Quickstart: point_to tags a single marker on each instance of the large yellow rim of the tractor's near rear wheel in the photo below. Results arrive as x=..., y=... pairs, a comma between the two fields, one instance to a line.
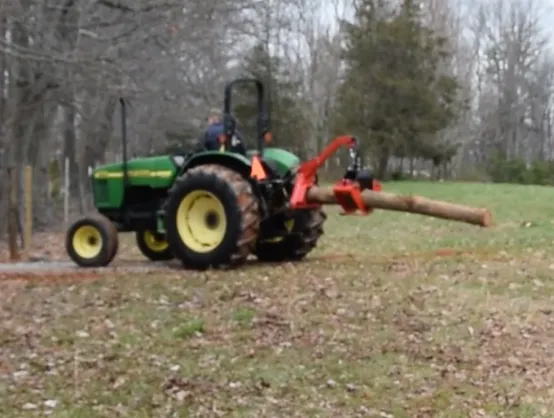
x=201, y=221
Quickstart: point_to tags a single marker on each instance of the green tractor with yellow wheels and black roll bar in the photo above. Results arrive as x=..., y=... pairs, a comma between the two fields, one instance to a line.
x=206, y=209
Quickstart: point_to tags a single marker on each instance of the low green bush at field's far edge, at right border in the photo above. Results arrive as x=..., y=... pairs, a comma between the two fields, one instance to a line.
x=517, y=171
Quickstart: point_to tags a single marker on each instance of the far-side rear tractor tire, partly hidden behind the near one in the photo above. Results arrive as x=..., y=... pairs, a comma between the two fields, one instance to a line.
x=303, y=232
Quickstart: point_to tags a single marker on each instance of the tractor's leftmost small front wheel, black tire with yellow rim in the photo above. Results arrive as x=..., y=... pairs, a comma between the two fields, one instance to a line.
x=92, y=241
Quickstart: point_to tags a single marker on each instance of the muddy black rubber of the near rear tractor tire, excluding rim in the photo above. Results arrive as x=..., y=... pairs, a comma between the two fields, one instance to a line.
x=241, y=212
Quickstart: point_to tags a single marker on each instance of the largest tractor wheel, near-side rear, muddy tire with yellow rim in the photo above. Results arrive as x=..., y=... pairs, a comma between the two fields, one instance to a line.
x=211, y=218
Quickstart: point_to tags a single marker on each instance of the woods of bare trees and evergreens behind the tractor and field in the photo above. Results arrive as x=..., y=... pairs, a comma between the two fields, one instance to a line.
x=432, y=88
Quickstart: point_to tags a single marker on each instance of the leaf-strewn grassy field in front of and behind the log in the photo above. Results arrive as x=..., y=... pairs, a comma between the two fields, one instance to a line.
x=379, y=323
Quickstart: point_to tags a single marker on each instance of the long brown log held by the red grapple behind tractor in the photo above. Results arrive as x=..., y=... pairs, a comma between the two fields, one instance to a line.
x=412, y=204
